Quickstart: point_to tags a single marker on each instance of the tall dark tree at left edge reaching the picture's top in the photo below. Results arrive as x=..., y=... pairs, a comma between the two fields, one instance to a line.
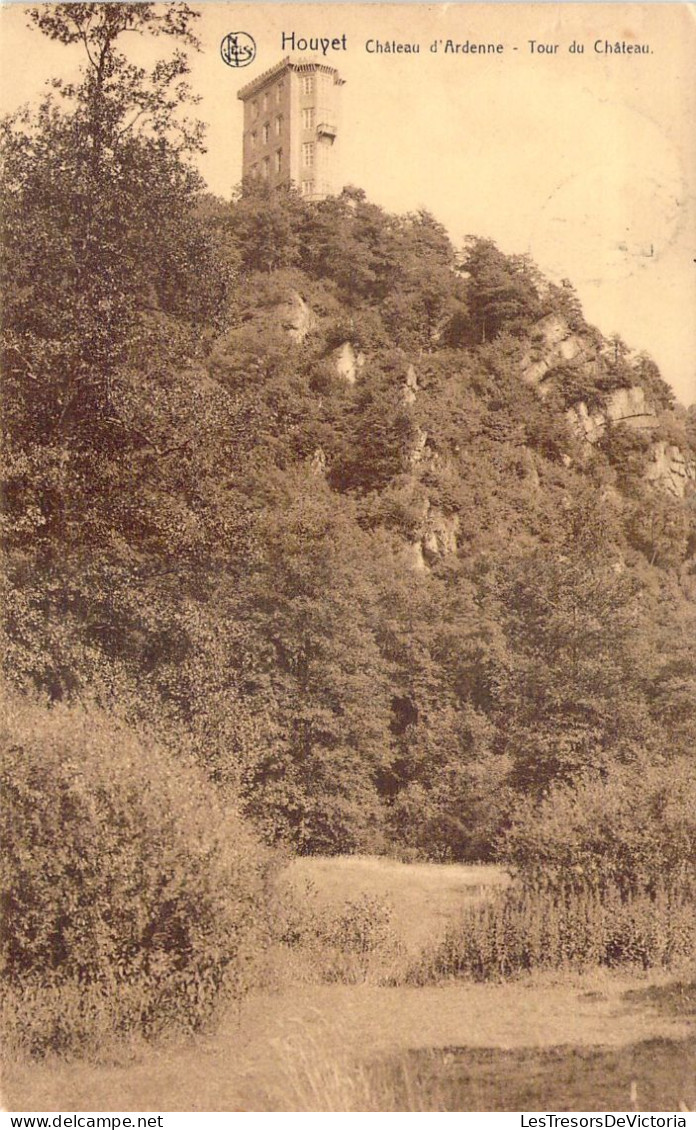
x=112, y=275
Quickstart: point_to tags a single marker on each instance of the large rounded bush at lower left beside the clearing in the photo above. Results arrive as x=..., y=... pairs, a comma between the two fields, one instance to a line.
x=134, y=899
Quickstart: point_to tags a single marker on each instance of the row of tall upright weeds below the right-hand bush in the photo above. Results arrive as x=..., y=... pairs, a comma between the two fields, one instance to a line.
x=528, y=931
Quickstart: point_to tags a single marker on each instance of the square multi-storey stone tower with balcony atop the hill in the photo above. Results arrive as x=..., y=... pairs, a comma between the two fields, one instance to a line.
x=292, y=127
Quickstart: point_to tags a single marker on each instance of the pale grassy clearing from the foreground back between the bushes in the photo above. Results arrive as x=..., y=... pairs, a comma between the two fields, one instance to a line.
x=576, y=1041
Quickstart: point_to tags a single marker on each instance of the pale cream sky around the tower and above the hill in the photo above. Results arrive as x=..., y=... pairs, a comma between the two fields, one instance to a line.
x=587, y=162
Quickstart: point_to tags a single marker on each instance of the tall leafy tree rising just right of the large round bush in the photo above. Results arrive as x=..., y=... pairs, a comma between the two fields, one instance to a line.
x=308, y=656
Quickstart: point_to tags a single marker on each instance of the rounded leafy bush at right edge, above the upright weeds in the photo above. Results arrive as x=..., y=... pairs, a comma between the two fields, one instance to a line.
x=634, y=829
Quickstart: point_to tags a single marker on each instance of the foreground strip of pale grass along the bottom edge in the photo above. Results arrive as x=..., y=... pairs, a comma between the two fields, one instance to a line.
x=335, y=1048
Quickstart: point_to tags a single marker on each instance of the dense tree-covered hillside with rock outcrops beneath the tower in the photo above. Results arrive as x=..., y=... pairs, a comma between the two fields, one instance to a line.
x=336, y=544
